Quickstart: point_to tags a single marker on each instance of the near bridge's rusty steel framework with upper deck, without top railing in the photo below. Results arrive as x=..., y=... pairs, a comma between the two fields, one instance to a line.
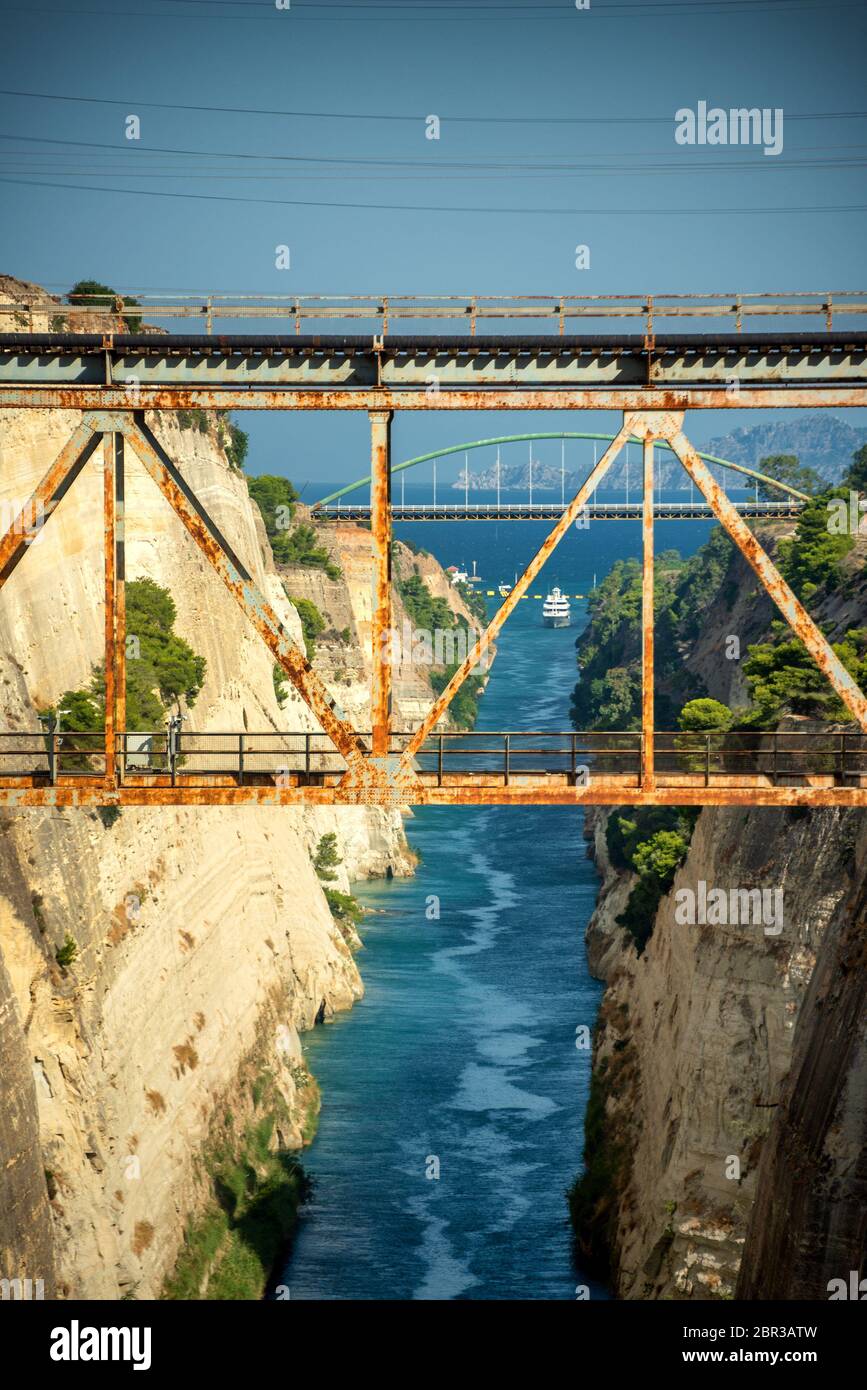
x=113, y=379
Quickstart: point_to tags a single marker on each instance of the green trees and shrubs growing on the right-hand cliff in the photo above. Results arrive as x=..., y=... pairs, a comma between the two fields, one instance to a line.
x=782, y=679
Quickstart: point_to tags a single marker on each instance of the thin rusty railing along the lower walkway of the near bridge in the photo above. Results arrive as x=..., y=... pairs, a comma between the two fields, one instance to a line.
x=743, y=758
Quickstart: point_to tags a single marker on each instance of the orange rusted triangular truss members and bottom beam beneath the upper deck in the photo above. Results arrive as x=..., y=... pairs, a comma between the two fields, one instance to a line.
x=376, y=776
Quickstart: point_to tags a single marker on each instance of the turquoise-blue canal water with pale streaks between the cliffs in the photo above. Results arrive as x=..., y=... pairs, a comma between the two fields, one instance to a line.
x=462, y=1057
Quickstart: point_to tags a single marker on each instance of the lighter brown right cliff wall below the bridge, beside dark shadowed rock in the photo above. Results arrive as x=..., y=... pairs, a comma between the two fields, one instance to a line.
x=697, y=1039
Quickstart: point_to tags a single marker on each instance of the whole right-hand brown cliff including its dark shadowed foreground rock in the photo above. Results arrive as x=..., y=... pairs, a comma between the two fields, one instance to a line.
x=727, y=1122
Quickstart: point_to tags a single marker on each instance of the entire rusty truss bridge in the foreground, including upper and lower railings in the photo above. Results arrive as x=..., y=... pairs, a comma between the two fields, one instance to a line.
x=113, y=377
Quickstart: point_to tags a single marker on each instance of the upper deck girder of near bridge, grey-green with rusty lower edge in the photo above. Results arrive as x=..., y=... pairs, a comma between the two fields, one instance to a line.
x=422, y=372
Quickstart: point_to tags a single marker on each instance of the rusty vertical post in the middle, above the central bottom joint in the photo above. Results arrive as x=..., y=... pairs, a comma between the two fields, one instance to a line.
x=381, y=539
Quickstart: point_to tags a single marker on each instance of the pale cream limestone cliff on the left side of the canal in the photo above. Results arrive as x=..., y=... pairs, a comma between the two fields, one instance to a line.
x=204, y=938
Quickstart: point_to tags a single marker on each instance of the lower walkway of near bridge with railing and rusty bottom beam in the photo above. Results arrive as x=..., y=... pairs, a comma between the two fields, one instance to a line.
x=782, y=768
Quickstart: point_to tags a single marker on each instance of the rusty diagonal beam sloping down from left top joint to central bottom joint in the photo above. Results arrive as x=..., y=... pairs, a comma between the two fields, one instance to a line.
x=241, y=584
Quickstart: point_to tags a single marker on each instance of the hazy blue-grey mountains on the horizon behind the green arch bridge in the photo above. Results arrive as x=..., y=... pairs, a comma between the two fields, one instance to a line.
x=823, y=441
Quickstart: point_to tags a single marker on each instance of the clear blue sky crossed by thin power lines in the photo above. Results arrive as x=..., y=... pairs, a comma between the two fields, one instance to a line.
x=655, y=215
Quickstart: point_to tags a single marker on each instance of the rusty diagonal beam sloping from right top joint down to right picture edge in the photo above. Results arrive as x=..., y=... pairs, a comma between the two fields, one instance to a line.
x=793, y=611
